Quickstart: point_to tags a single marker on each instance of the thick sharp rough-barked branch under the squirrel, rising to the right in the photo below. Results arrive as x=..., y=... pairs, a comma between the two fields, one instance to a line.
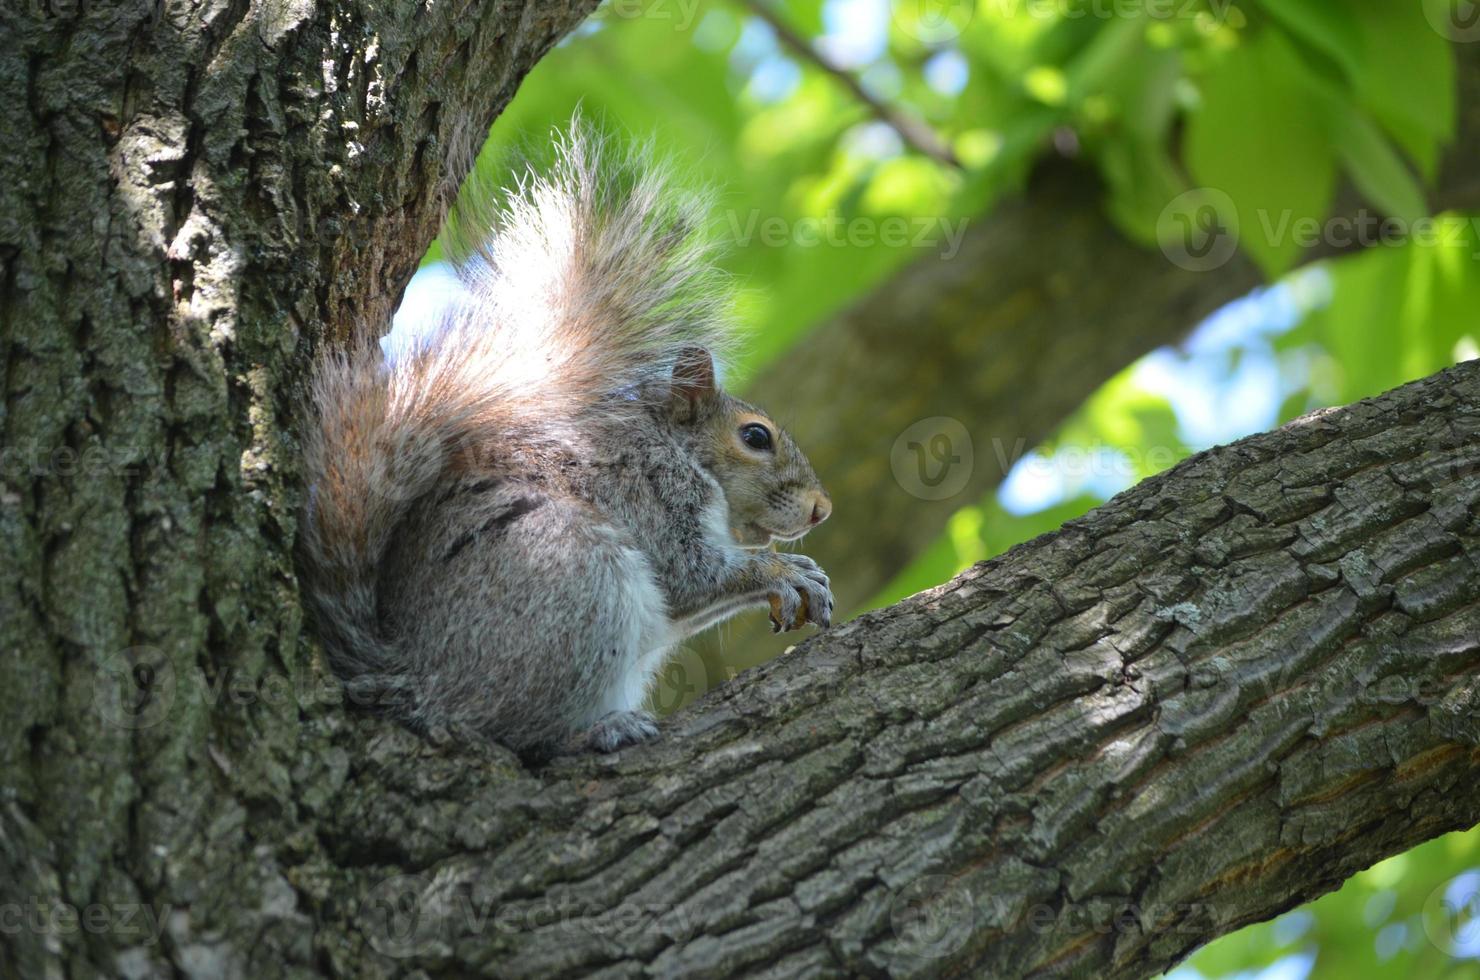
x=1202, y=704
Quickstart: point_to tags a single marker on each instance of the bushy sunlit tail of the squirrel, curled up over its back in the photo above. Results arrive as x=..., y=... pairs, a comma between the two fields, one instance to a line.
x=581, y=285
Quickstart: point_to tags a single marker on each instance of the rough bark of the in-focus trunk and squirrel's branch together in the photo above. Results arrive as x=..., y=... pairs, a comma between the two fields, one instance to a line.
x=1211, y=699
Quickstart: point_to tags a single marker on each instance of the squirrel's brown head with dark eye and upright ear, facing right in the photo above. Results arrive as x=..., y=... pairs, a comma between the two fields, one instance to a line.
x=772, y=489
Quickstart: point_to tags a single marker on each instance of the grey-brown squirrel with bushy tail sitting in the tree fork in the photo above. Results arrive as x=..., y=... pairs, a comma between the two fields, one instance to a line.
x=519, y=516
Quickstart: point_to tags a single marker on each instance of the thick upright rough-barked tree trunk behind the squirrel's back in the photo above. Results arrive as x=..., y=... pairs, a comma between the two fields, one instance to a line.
x=192, y=196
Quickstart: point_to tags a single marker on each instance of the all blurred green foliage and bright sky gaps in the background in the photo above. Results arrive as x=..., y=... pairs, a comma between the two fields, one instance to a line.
x=1257, y=109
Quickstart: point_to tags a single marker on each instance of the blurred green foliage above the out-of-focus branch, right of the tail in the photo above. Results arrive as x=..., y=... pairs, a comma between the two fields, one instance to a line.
x=1268, y=101
